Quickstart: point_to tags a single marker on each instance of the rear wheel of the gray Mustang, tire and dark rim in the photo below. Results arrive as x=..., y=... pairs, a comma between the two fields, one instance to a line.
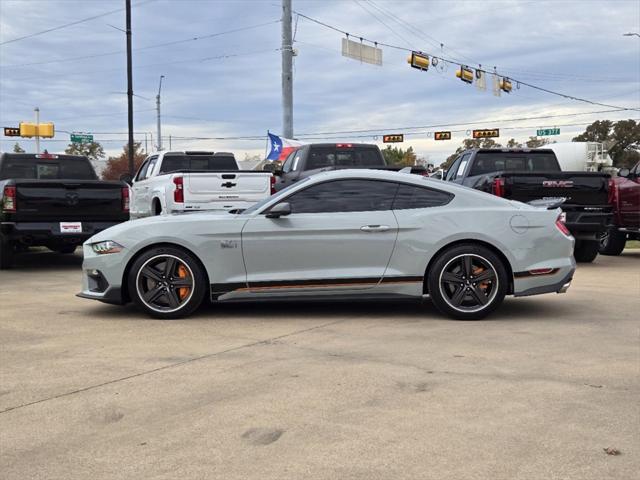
x=466, y=300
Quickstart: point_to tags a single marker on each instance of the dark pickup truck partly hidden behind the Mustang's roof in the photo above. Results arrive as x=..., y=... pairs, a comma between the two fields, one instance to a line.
x=313, y=158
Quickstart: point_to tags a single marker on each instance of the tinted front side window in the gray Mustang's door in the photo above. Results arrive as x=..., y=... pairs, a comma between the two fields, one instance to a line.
x=344, y=196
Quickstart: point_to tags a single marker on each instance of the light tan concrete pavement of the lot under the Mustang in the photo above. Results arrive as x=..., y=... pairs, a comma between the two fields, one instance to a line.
x=319, y=391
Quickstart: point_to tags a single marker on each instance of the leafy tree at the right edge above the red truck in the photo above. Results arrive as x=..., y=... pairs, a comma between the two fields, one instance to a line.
x=622, y=139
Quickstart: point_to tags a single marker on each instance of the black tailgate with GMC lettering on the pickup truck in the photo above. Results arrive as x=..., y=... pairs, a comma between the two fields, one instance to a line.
x=583, y=188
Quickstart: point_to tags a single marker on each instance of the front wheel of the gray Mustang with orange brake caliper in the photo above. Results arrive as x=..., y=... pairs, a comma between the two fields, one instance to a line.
x=167, y=282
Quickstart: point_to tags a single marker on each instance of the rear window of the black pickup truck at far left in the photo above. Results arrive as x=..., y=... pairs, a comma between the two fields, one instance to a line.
x=47, y=169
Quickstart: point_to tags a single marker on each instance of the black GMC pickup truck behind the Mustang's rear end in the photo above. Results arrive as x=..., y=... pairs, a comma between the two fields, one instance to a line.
x=526, y=175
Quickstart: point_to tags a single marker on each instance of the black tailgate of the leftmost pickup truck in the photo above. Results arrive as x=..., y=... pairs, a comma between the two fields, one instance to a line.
x=69, y=200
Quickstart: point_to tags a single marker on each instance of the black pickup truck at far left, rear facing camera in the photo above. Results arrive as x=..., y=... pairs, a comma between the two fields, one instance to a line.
x=54, y=201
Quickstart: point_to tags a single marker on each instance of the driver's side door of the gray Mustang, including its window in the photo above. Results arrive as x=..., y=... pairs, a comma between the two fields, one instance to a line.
x=340, y=235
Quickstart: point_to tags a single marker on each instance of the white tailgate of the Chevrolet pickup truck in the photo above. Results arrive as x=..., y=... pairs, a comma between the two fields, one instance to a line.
x=244, y=186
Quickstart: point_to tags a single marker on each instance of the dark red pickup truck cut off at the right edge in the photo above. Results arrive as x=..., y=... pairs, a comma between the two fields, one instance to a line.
x=624, y=195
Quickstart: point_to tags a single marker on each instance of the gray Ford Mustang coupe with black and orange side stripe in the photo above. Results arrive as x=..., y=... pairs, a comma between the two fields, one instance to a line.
x=345, y=234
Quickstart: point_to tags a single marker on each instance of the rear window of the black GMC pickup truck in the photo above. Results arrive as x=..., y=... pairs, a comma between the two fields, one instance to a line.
x=488, y=162
